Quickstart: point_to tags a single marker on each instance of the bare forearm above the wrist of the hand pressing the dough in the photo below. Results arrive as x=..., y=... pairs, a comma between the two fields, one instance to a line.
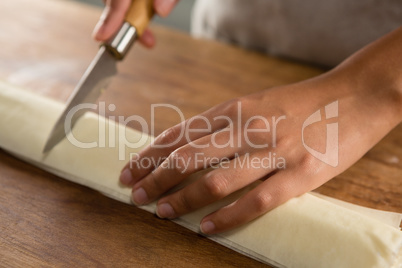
x=375, y=74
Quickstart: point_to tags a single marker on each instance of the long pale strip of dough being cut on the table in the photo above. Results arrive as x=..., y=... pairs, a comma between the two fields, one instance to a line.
x=304, y=232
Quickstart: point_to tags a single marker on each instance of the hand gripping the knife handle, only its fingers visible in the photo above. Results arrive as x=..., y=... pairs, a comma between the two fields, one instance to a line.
x=113, y=16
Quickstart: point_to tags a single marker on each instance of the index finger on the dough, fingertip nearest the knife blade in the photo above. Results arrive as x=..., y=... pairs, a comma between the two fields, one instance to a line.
x=170, y=140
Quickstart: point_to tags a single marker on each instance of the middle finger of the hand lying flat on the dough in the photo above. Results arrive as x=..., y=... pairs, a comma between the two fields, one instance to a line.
x=181, y=163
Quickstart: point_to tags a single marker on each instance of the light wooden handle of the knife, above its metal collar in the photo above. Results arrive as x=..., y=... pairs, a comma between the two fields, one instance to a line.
x=139, y=14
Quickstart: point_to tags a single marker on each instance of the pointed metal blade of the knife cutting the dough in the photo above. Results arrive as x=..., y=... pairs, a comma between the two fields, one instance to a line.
x=95, y=79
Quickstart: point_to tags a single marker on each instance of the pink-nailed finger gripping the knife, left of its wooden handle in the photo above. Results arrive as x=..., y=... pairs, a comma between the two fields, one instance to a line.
x=111, y=19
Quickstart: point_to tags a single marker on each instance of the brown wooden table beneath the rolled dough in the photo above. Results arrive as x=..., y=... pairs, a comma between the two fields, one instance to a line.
x=47, y=221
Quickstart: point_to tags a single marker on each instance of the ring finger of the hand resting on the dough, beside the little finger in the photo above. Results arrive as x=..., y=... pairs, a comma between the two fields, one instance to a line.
x=215, y=185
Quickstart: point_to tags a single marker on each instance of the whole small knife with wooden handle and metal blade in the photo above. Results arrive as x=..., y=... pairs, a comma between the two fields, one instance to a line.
x=102, y=68
